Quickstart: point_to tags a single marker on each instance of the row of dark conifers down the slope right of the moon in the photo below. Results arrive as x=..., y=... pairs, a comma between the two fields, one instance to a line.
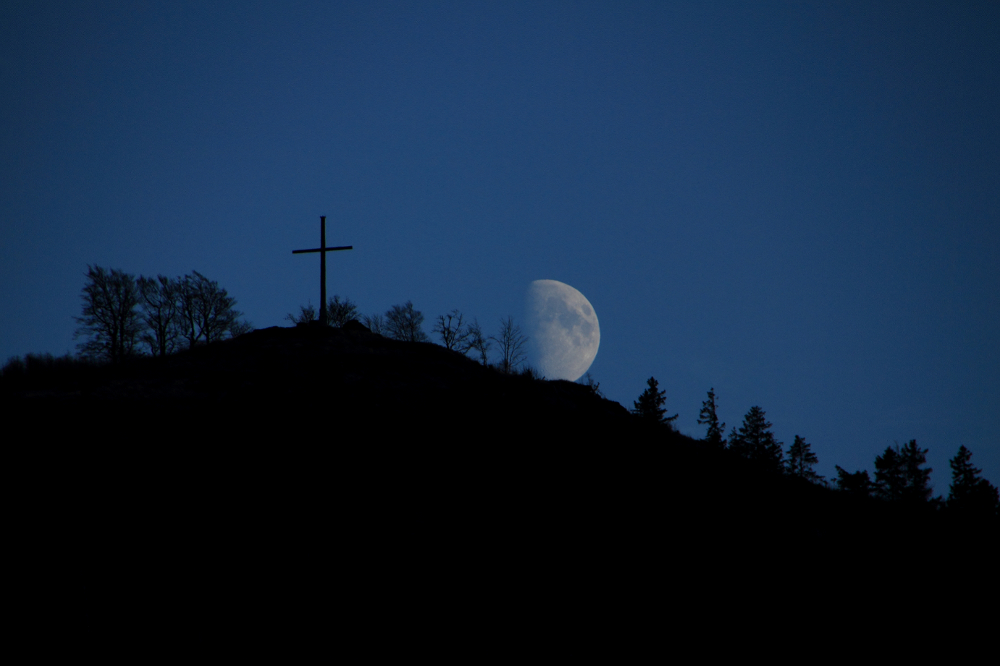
x=901, y=474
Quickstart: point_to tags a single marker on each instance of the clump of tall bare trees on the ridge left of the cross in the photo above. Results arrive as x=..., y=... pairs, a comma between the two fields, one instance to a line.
x=125, y=316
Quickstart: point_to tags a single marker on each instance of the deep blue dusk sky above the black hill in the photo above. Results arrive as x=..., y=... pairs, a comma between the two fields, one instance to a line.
x=794, y=204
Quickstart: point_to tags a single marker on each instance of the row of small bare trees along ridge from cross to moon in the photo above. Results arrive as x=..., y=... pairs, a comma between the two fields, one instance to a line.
x=404, y=322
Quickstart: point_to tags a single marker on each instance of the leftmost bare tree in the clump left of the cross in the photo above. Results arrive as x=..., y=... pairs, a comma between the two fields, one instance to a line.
x=111, y=322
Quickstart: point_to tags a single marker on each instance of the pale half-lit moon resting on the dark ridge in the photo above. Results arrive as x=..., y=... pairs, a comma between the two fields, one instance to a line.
x=563, y=333
